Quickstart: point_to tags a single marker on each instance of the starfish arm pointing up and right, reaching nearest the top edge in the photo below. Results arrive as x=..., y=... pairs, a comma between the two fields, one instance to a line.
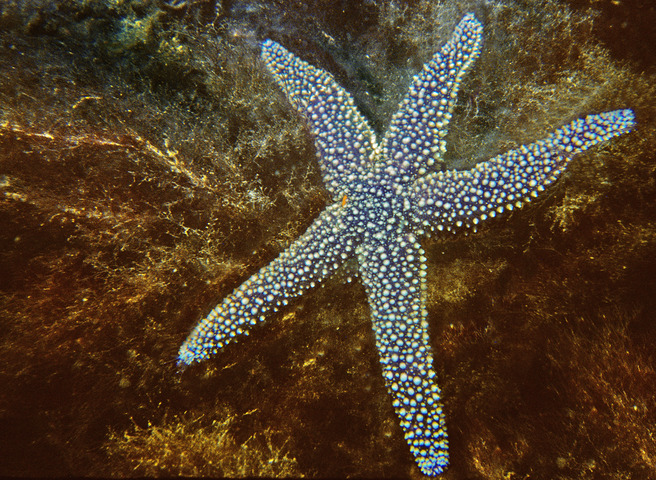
x=416, y=134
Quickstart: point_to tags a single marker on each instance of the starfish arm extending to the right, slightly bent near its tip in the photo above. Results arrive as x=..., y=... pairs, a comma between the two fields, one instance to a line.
x=455, y=199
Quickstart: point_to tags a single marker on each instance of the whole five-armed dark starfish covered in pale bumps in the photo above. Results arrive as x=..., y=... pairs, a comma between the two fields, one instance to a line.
x=384, y=198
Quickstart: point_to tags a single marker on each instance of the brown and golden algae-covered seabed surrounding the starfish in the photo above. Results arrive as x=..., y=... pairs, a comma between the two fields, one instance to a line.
x=148, y=165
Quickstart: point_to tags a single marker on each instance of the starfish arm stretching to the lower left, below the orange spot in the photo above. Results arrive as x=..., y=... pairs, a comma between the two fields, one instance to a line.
x=310, y=259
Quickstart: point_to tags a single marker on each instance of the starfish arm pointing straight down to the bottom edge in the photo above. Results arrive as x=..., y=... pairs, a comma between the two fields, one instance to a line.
x=393, y=273
